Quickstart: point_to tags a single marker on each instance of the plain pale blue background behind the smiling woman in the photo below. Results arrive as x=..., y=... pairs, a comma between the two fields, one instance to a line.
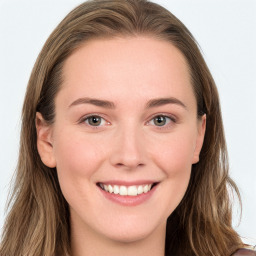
x=226, y=33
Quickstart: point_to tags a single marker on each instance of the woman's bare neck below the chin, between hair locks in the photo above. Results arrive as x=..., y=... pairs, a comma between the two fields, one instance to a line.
x=84, y=242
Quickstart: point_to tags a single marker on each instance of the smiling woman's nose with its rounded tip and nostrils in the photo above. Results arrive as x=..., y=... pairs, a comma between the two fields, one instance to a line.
x=128, y=149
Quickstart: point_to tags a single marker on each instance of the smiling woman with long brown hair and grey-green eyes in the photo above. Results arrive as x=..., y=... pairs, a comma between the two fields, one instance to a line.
x=122, y=144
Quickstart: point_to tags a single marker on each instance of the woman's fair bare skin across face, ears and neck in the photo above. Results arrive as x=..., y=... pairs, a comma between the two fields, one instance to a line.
x=126, y=146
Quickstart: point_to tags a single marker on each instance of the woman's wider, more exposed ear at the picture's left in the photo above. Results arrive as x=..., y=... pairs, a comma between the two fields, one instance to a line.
x=44, y=141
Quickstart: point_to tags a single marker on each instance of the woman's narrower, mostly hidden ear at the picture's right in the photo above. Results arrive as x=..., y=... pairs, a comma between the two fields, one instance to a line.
x=200, y=139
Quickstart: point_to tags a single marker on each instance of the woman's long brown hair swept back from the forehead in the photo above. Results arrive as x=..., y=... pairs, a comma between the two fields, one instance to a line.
x=38, y=221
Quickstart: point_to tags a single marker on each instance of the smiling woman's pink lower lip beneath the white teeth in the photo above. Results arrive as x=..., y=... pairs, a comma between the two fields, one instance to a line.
x=128, y=200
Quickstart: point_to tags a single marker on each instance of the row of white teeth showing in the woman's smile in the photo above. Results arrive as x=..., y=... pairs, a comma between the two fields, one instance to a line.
x=124, y=191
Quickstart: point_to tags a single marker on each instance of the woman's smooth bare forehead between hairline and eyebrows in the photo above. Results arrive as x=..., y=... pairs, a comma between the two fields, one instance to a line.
x=126, y=66
